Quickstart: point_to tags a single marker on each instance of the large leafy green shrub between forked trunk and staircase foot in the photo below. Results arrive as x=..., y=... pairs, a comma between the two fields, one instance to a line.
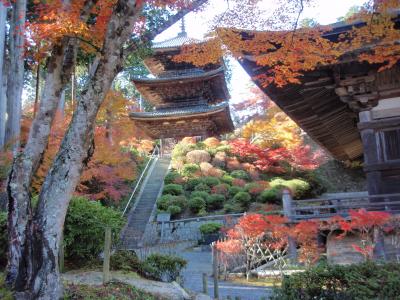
x=84, y=228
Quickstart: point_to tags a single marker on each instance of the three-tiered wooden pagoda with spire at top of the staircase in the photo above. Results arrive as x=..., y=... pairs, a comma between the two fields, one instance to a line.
x=188, y=101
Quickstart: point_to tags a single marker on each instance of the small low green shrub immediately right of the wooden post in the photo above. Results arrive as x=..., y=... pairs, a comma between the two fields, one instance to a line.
x=125, y=260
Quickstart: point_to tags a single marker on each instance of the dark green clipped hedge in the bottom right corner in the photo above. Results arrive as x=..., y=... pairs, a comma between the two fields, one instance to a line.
x=367, y=280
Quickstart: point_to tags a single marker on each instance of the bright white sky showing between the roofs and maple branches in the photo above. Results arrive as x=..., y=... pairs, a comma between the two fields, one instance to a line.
x=198, y=24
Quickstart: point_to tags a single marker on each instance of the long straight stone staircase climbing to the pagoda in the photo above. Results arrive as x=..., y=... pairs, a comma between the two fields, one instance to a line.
x=140, y=214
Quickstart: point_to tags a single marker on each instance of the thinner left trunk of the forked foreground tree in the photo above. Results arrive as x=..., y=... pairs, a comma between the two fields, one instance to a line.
x=25, y=165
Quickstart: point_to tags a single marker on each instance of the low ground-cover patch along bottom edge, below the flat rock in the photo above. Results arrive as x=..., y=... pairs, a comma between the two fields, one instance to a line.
x=110, y=291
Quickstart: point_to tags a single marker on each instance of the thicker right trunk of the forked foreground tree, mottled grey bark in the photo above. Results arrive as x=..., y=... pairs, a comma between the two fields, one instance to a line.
x=39, y=262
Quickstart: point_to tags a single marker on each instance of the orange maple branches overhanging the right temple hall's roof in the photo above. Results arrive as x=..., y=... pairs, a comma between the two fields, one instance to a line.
x=289, y=51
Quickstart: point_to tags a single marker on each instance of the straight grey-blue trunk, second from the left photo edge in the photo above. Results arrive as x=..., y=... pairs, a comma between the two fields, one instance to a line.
x=15, y=80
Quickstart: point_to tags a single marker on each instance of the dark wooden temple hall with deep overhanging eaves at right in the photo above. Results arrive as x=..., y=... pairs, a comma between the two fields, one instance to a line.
x=350, y=109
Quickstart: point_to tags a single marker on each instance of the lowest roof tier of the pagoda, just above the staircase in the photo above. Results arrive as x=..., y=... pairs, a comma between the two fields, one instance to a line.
x=202, y=120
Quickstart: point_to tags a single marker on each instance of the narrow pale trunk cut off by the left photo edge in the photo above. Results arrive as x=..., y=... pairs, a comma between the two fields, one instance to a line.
x=3, y=100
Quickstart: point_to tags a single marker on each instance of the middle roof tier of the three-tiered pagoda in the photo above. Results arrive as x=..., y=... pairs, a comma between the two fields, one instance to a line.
x=210, y=86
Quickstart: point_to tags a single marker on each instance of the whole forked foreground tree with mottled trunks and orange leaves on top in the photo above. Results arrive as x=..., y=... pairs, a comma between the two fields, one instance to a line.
x=34, y=234
